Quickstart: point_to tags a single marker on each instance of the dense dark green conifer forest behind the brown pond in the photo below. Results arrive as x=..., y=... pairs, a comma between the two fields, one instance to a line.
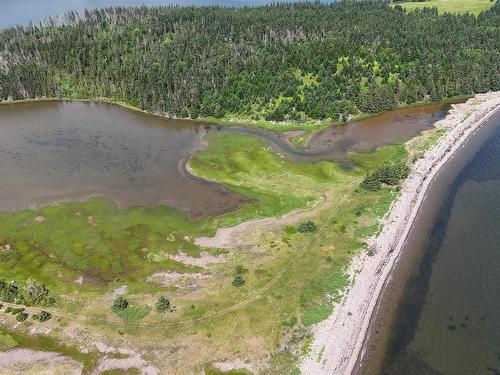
x=279, y=62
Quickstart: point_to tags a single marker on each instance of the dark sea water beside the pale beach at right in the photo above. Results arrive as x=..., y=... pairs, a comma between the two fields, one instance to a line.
x=449, y=320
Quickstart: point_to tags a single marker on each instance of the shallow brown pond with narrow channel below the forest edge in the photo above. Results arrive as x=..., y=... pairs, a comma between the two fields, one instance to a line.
x=61, y=151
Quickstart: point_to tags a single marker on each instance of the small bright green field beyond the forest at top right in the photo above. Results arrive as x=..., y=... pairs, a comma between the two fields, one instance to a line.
x=451, y=6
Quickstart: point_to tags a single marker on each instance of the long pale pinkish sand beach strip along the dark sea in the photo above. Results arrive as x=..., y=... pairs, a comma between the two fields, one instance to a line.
x=338, y=341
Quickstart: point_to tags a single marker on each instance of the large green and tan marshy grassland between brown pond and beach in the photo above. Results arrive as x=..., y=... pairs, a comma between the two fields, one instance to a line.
x=109, y=247
